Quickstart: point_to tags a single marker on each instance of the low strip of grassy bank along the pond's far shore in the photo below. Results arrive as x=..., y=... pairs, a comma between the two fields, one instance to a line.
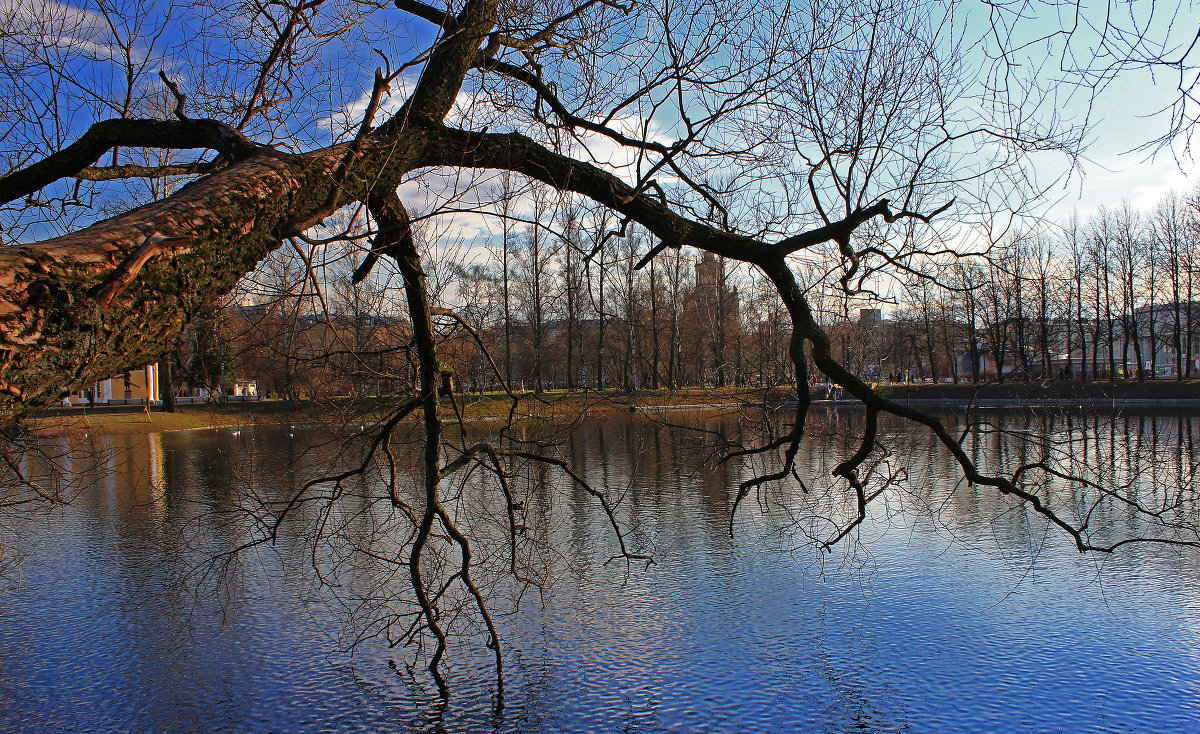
x=556, y=406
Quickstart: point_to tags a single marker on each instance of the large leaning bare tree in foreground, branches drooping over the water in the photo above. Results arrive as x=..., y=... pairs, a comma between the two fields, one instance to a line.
x=854, y=140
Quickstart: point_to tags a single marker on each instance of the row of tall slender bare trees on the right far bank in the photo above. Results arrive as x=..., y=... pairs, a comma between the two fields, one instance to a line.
x=1112, y=297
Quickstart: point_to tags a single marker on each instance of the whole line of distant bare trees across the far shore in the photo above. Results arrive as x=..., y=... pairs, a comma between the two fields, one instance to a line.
x=556, y=300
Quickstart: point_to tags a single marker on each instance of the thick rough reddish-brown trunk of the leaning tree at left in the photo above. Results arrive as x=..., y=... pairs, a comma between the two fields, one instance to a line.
x=94, y=303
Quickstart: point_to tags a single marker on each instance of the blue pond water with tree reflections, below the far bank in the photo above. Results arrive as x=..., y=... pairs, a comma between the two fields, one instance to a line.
x=952, y=611
